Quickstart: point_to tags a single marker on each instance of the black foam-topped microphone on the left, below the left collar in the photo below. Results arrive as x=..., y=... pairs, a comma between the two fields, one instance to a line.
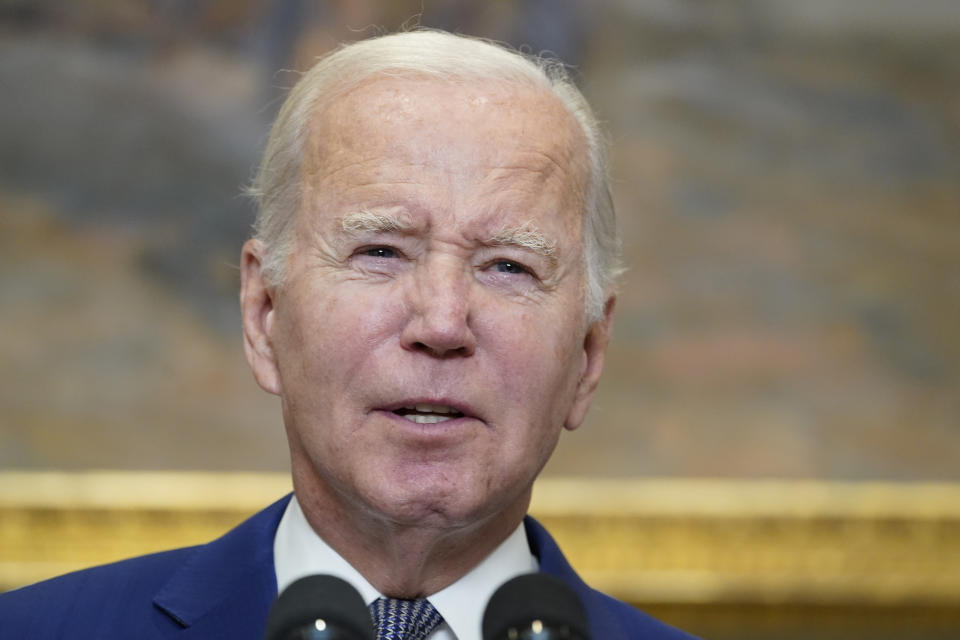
x=319, y=607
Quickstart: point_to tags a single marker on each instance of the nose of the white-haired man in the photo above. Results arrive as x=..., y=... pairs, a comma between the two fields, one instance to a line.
x=440, y=311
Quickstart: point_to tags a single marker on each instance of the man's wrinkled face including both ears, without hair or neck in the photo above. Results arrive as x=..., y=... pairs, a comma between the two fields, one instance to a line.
x=430, y=339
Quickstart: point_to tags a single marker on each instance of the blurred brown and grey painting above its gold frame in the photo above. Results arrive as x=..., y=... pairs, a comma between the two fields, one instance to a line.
x=787, y=179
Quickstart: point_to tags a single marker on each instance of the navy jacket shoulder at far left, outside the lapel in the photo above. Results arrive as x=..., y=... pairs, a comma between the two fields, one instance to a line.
x=92, y=603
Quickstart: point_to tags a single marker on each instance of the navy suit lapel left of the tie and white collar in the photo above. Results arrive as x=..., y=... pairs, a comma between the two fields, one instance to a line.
x=225, y=588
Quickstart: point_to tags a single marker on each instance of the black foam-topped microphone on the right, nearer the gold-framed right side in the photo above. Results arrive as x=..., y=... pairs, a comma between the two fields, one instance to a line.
x=535, y=606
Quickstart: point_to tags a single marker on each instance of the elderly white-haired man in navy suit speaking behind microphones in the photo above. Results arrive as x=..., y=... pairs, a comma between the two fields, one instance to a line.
x=429, y=292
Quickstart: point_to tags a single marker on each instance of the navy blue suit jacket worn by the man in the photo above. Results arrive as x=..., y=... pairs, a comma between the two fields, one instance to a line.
x=224, y=589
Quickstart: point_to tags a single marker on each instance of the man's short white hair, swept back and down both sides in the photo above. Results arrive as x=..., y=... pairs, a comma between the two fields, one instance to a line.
x=277, y=186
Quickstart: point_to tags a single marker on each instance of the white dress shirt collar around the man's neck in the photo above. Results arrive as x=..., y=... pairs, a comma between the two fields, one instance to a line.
x=298, y=552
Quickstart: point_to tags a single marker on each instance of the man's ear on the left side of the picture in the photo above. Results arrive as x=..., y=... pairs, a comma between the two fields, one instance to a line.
x=256, y=307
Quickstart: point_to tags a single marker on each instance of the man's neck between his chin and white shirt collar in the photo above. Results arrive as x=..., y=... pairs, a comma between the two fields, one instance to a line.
x=402, y=560
